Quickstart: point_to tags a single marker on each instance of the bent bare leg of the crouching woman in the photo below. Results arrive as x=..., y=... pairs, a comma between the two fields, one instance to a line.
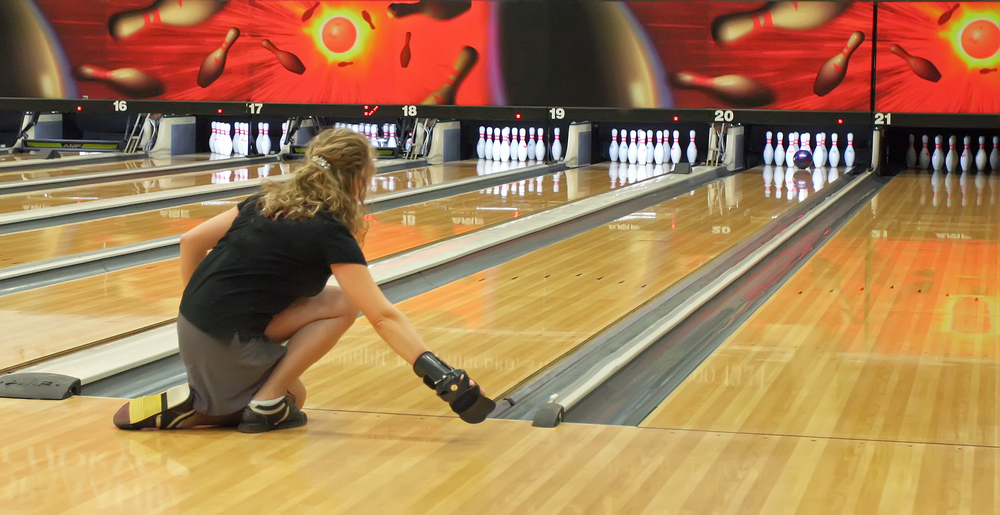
x=312, y=327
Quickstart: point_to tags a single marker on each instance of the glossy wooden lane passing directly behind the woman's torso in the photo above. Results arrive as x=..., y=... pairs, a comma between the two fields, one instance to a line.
x=107, y=305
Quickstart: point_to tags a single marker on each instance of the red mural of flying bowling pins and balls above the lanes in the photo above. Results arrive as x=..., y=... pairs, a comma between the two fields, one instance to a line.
x=793, y=55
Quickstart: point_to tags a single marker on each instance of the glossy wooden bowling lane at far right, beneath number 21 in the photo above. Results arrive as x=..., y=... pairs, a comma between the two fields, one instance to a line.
x=889, y=332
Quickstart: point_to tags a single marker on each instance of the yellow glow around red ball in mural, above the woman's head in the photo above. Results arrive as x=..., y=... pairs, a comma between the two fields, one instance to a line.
x=336, y=35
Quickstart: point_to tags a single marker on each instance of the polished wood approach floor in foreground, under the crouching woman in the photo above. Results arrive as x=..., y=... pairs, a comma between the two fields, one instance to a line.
x=66, y=457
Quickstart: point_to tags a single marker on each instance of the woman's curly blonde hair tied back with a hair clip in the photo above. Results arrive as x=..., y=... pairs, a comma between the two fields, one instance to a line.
x=339, y=164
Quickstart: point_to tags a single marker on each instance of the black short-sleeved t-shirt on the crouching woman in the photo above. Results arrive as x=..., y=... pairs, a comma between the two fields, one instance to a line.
x=260, y=267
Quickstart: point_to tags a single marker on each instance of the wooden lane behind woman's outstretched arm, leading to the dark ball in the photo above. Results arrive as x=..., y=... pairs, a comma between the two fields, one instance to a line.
x=508, y=322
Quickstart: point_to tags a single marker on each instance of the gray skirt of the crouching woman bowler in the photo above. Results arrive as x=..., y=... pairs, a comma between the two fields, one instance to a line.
x=224, y=376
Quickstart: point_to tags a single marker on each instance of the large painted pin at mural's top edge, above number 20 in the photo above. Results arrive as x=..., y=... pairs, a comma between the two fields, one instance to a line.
x=780, y=15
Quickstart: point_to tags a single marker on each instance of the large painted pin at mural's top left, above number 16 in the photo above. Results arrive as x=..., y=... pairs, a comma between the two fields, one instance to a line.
x=178, y=13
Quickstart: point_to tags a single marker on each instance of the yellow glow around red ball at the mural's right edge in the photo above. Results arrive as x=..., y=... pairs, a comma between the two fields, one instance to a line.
x=975, y=36
